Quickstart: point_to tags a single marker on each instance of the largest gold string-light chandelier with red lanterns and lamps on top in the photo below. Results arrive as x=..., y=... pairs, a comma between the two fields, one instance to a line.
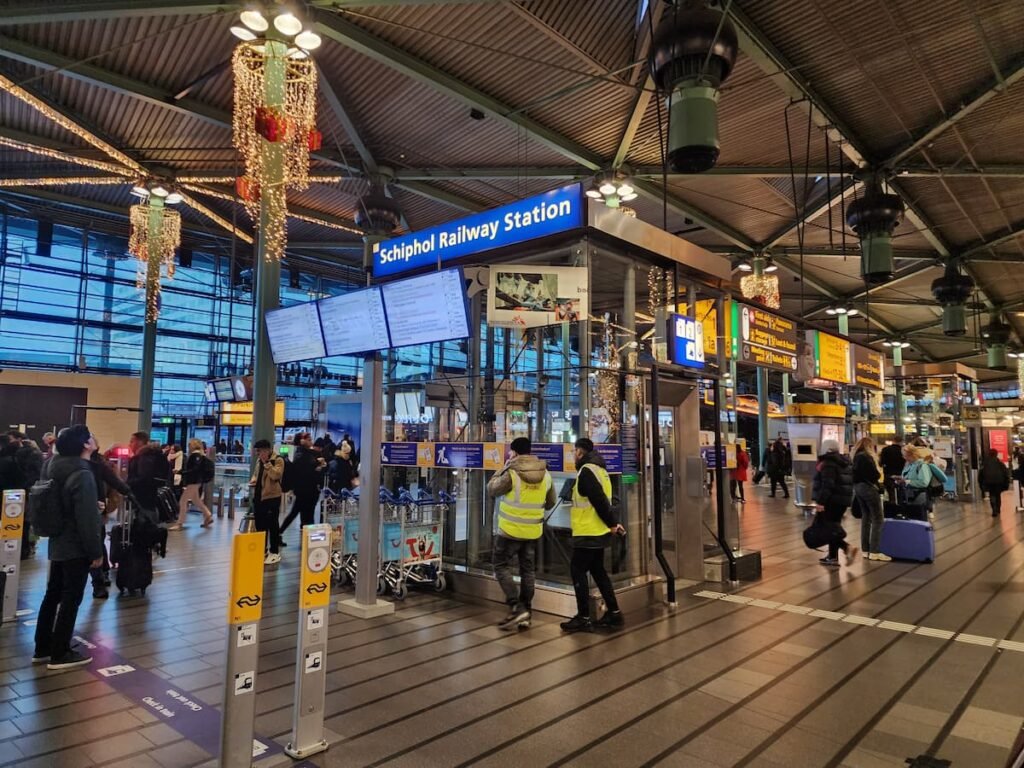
x=275, y=116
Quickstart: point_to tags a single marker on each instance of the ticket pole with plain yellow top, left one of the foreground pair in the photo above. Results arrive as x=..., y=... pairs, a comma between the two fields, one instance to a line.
x=245, y=607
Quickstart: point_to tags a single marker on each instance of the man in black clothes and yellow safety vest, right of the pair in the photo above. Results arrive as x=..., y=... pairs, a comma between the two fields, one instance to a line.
x=594, y=523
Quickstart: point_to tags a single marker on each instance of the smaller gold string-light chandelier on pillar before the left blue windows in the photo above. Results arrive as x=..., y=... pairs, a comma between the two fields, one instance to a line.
x=155, y=236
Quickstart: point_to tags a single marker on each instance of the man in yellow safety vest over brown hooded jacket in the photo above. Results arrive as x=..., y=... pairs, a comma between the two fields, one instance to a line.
x=527, y=491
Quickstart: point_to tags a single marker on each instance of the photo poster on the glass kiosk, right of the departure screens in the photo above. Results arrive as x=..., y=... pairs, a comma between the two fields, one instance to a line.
x=530, y=296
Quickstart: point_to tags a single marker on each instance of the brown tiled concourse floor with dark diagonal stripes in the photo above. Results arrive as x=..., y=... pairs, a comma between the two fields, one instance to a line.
x=713, y=684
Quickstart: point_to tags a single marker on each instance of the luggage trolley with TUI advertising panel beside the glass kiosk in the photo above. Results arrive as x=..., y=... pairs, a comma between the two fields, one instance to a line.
x=411, y=547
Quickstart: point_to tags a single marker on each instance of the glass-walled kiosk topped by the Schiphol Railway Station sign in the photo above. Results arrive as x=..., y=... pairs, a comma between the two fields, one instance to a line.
x=565, y=330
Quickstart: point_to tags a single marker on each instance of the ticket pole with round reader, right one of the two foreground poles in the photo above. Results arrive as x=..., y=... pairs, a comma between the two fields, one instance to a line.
x=311, y=667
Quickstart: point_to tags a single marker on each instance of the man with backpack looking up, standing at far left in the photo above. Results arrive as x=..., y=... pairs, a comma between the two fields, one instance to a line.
x=64, y=504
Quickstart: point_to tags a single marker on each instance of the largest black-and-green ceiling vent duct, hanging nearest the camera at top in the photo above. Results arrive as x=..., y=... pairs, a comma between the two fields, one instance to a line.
x=696, y=49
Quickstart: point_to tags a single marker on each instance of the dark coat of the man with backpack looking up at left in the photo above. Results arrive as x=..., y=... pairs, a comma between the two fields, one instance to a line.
x=82, y=537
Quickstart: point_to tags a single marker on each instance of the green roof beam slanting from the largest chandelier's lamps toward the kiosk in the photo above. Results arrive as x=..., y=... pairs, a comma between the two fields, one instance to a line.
x=343, y=31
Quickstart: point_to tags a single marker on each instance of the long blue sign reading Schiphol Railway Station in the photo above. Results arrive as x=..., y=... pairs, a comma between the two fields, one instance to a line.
x=557, y=211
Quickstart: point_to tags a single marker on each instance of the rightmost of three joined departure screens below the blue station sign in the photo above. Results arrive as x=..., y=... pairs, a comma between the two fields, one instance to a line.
x=432, y=308
